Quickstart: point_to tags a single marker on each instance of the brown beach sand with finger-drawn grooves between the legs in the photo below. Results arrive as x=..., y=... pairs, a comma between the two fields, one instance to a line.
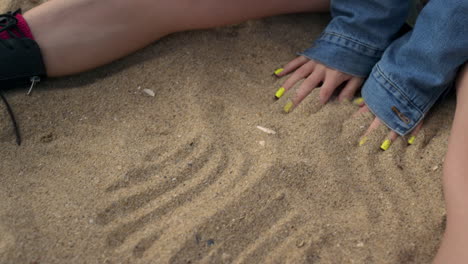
x=108, y=174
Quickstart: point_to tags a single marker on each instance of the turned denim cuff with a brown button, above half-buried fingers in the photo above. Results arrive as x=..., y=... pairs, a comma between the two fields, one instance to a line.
x=390, y=104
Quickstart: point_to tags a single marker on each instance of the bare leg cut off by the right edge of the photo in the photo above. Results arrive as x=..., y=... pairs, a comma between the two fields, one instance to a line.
x=455, y=241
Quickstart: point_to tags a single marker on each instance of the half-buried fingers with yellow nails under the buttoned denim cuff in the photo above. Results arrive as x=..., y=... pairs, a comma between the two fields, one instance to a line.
x=391, y=137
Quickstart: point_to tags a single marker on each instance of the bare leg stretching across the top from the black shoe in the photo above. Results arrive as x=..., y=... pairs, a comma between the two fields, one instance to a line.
x=77, y=35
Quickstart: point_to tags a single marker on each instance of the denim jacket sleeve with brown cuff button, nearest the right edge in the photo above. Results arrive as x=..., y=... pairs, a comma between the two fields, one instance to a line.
x=420, y=66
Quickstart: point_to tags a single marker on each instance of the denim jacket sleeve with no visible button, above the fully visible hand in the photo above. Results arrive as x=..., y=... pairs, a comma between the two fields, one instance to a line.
x=358, y=34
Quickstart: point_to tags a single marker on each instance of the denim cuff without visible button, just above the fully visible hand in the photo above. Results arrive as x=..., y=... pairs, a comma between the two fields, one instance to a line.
x=343, y=53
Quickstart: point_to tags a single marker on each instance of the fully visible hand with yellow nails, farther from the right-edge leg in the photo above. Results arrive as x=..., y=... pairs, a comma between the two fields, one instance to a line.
x=314, y=73
